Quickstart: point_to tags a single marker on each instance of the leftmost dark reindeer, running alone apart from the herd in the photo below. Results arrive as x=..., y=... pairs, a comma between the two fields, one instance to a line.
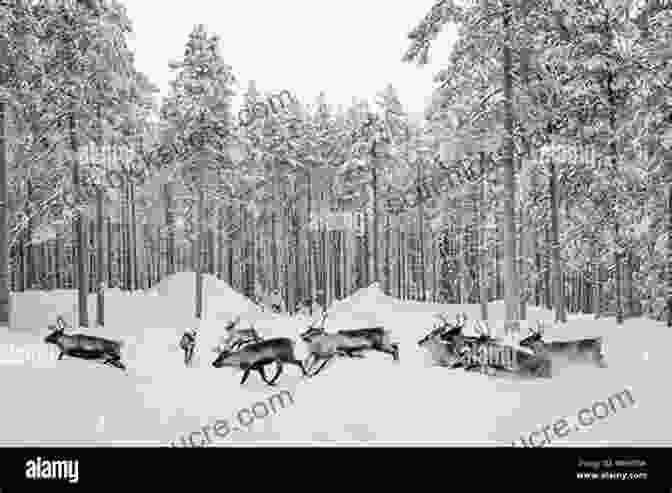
x=85, y=346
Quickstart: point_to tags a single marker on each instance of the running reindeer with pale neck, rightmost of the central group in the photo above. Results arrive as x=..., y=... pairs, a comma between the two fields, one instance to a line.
x=351, y=343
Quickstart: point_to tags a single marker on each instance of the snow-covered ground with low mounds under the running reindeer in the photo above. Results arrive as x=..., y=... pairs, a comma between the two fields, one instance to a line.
x=74, y=402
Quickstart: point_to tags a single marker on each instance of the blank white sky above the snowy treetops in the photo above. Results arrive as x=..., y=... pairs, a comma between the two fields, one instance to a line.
x=346, y=48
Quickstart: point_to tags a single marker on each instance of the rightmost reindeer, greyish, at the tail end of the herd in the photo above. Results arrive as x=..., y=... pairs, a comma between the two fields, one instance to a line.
x=589, y=350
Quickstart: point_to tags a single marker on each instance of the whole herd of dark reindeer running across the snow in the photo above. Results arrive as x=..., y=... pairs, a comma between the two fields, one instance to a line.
x=247, y=350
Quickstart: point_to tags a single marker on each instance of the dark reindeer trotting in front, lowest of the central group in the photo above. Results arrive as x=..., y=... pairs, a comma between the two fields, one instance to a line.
x=257, y=355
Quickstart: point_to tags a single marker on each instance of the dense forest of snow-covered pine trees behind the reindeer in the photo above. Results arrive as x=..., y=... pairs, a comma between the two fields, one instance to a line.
x=541, y=173
